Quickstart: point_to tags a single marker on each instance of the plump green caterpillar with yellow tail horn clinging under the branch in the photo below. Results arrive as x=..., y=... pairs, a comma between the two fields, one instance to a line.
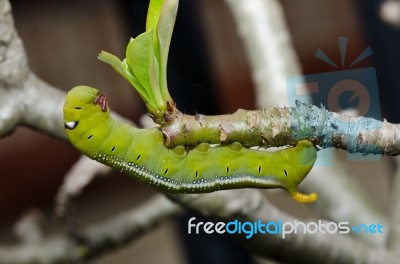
x=141, y=154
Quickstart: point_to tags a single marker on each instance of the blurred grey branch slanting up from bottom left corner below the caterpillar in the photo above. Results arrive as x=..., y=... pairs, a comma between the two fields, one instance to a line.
x=96, y=239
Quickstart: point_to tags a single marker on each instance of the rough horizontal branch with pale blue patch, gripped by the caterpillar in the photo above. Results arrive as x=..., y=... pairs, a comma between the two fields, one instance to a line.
x=285, y=126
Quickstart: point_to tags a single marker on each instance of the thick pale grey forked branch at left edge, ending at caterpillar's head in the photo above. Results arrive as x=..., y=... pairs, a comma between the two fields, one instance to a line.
x=24, y=99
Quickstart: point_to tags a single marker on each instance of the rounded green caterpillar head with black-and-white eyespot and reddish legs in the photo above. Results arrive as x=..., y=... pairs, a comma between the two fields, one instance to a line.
x=83, y=105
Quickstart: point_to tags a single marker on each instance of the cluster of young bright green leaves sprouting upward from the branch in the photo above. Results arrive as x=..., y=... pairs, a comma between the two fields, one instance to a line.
x=145, y=65
